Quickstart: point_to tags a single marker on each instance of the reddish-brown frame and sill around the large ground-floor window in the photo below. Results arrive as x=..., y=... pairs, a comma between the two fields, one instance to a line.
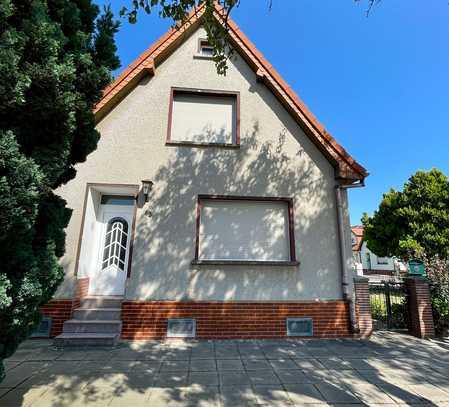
x=236, y=198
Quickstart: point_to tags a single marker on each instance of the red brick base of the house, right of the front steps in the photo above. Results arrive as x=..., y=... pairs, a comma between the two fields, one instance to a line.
x=228, y=320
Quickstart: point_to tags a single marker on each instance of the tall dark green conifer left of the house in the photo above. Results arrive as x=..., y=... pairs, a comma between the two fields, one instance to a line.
x=56, y=56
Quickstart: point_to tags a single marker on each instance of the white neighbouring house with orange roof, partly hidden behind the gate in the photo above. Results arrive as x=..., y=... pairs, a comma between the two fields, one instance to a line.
x=374, y=267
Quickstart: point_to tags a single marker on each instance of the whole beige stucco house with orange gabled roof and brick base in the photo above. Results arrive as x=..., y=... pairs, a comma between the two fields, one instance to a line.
x=214, y=206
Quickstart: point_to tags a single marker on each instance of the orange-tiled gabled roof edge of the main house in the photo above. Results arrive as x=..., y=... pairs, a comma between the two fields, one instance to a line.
x=348, y=170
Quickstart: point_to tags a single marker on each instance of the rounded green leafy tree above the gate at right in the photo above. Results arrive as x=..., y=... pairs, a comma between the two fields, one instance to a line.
x=413, y=222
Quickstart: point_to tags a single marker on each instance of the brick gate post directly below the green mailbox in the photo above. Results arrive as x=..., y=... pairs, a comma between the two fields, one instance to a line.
x=419, y=308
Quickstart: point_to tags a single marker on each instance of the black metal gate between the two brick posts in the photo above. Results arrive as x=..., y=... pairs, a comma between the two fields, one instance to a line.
x=389, y=308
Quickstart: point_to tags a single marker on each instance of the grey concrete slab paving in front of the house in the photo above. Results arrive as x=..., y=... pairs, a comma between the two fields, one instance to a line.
x=389, y=369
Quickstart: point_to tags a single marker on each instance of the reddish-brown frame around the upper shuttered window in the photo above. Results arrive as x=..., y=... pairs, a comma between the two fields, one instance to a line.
x=207, y=92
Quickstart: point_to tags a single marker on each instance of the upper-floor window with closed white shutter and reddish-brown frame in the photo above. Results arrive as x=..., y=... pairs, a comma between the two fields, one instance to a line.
x=203, y=117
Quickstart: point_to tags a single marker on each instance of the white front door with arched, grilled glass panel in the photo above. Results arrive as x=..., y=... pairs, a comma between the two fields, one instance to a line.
x=115, y=238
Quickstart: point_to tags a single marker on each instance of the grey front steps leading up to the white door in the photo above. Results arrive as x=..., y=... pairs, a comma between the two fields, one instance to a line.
x=95, y=323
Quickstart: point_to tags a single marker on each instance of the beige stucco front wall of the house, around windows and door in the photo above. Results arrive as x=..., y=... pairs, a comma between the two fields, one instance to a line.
x=275, y=159
